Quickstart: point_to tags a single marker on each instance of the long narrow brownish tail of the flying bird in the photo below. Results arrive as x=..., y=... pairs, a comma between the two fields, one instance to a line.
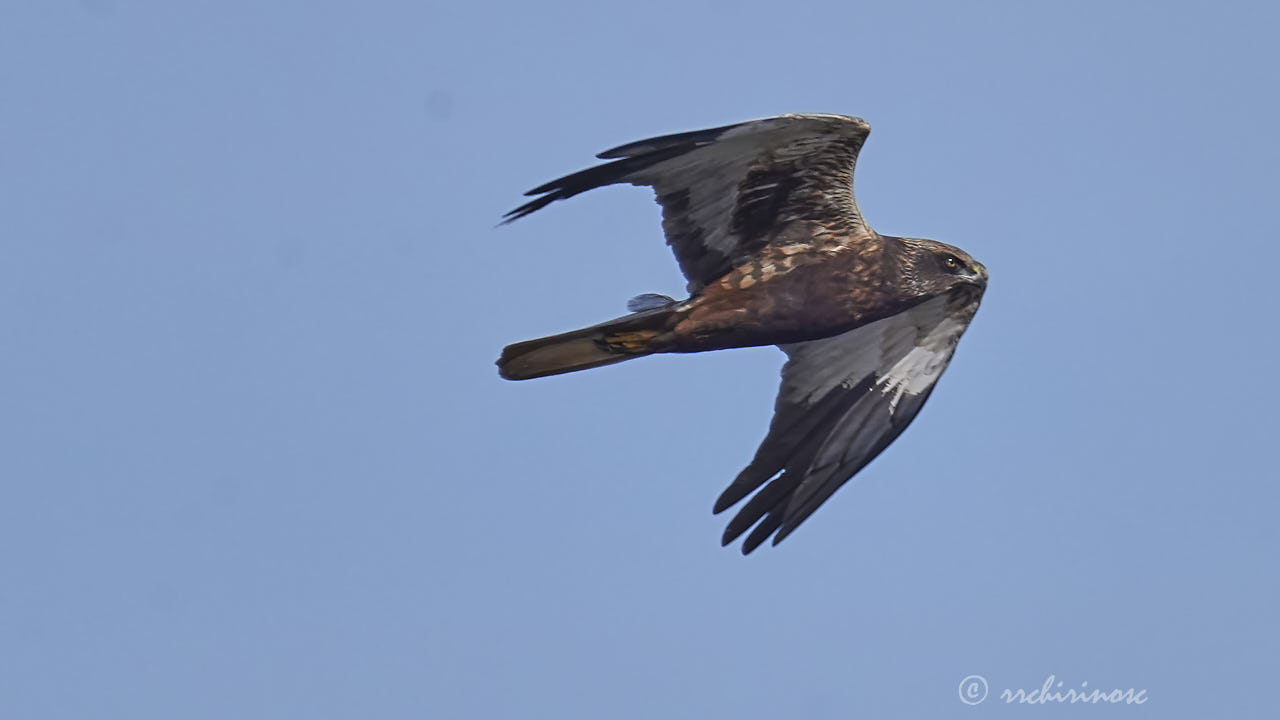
x=615, y=341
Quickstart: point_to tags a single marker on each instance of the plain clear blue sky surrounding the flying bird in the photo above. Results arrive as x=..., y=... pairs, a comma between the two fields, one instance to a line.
x=258, y=463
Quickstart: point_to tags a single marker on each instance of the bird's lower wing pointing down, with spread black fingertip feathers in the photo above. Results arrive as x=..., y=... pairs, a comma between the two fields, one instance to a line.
x=843, y=402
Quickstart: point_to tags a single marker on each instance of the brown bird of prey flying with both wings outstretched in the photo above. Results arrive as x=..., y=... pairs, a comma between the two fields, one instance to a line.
x=765, y=226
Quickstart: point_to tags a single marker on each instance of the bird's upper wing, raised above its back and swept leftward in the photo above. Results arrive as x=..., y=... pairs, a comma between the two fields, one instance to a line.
x=728, y=193
